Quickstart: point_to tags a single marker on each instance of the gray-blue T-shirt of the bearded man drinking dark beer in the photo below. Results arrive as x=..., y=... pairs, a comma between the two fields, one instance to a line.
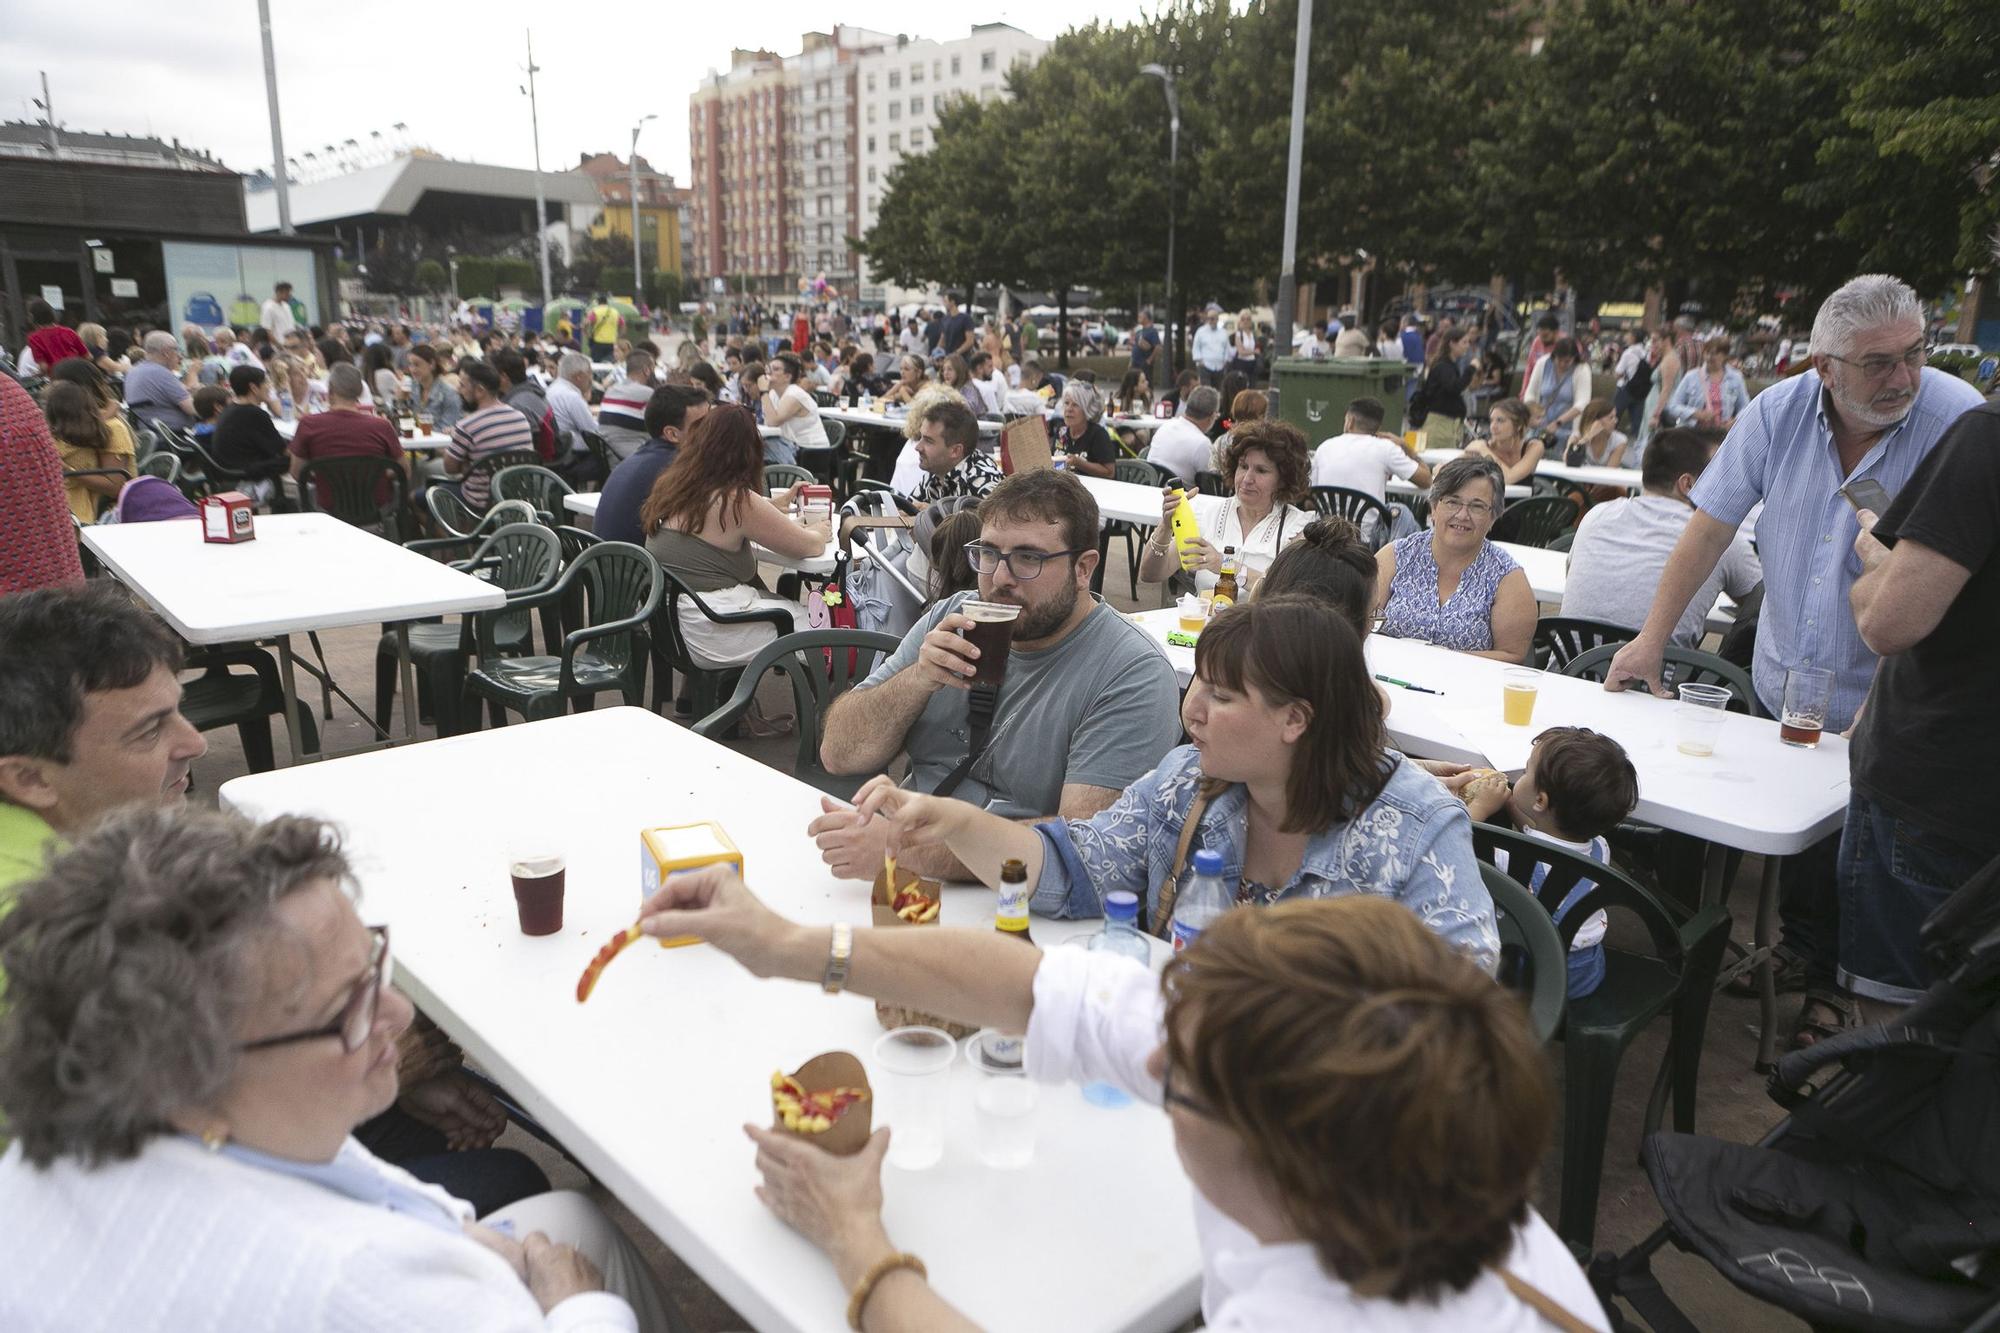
x=1101, y=710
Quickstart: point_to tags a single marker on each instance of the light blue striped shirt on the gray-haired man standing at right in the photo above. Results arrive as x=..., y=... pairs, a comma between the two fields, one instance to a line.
x=1781, y=451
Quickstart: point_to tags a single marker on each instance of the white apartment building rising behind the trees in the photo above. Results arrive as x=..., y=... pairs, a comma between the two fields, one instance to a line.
x=901, y=91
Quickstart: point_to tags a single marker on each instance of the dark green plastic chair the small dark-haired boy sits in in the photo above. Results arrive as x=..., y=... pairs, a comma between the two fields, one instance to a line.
x=1677, y=982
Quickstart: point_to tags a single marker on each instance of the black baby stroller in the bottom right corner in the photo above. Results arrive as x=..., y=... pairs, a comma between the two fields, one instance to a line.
x=1877, y=1204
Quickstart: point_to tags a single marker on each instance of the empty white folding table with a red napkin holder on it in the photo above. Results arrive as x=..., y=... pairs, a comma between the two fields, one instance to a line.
x=303, y=573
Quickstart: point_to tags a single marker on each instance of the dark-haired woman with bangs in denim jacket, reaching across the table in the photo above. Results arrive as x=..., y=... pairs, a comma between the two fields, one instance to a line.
x=1289, y=780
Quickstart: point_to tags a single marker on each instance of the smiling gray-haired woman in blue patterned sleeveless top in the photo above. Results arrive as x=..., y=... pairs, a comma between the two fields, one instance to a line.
x=1451, y=587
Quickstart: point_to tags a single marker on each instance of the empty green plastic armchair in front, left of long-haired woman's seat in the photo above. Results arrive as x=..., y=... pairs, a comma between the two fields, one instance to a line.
x=623, y=587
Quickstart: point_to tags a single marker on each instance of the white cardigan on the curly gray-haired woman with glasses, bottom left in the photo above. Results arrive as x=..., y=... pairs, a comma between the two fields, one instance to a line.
x=181, y=1240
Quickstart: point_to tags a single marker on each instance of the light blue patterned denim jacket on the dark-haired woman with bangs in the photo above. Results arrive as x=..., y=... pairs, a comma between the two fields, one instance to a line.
x=1413, y=844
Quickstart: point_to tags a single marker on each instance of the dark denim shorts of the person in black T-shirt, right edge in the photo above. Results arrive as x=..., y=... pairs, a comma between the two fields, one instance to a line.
x=1893, y=876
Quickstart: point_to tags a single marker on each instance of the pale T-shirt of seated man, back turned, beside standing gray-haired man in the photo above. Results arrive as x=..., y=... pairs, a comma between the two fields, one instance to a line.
x=1621, y=551
